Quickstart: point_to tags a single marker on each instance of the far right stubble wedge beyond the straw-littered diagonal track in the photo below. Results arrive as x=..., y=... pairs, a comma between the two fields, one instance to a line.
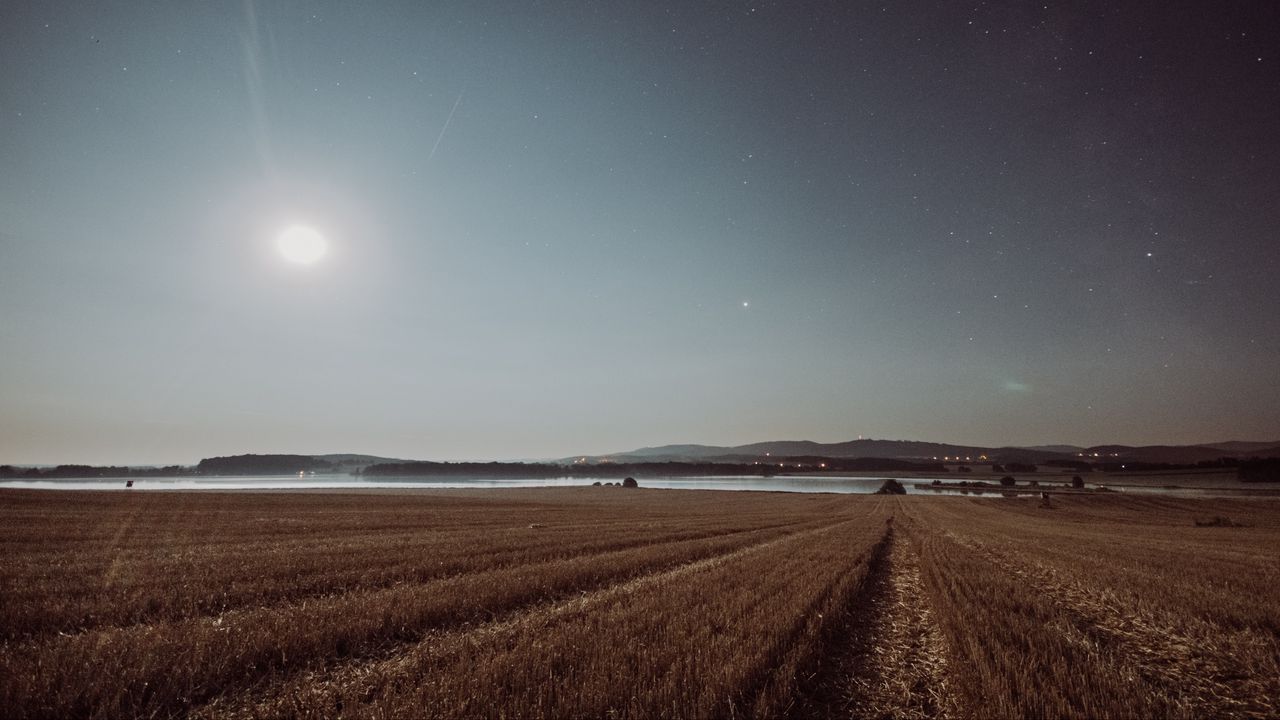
x=1148, y=552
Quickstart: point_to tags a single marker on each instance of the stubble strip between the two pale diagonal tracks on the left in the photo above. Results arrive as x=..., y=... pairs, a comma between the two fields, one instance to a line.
x=161, y=668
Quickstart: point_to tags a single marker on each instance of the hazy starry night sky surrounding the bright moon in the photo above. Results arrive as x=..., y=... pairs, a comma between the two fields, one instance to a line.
x=565, y=229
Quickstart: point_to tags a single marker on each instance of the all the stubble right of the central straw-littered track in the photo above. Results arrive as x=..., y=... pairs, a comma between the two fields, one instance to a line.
x=1055, y=617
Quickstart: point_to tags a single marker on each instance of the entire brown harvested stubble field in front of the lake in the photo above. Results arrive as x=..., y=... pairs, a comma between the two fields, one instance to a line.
x=611, y=603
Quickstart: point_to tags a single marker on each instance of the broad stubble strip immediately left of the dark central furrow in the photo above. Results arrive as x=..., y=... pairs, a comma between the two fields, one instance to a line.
x=664, y=645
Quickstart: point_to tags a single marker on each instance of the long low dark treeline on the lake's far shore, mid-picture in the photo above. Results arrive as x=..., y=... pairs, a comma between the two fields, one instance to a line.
x=644, y=470
